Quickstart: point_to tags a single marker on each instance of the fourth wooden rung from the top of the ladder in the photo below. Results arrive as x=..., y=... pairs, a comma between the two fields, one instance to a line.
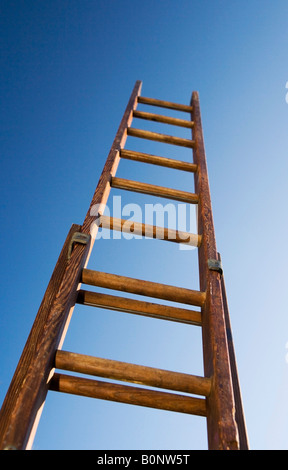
x=157, y=160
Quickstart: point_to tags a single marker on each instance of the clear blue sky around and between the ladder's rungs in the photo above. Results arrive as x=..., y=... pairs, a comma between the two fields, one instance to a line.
x=67, y=70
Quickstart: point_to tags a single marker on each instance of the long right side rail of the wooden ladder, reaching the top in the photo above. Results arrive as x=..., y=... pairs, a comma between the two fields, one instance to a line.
x=221, y=424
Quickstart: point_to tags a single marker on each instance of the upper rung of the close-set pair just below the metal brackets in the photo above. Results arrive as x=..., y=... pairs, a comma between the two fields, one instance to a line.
x=146, y=288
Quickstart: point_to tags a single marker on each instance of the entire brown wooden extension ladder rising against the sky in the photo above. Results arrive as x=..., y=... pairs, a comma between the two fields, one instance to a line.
x=218, y=393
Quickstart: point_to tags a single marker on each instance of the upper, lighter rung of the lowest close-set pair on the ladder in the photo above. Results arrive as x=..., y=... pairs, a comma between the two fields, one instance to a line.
x=133, y=373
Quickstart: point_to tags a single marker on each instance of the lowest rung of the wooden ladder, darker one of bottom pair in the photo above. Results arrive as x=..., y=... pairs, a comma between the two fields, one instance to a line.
x=127, y=394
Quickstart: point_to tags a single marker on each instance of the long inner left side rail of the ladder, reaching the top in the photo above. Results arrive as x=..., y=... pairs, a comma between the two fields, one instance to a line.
x=20, y=427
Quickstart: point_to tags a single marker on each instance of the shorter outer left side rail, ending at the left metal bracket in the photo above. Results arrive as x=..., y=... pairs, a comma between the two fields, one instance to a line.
x=23, y=402
